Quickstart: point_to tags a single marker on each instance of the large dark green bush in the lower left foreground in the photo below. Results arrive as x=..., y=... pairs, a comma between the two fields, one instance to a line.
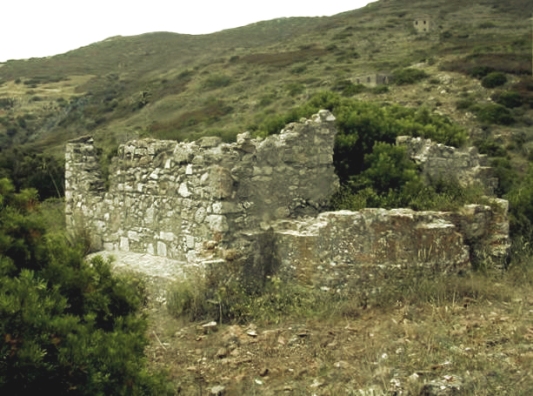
x=66, y=326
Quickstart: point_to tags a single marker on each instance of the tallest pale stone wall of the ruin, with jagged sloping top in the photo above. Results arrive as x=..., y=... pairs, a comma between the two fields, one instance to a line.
x=179, y=200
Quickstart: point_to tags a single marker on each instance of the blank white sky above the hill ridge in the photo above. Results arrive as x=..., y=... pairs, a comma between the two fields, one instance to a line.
x=38, y=28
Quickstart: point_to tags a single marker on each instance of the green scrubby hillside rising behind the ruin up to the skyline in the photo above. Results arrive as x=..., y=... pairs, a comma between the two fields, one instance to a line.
x=176, y=86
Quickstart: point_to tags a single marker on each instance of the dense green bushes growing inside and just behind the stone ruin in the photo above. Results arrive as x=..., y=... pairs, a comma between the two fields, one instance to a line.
x=373, y=171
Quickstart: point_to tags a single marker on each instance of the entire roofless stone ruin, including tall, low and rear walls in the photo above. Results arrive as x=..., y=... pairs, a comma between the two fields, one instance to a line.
x=206, y=204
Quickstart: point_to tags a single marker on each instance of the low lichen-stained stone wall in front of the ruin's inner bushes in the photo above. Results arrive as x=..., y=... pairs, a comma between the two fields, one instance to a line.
x=335, y=248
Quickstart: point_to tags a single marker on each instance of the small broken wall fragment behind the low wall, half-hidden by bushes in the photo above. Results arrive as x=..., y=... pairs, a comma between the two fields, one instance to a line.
x=438, y=161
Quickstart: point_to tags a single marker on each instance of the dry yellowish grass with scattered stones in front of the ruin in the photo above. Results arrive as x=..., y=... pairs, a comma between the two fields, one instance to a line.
x=476, y=327
